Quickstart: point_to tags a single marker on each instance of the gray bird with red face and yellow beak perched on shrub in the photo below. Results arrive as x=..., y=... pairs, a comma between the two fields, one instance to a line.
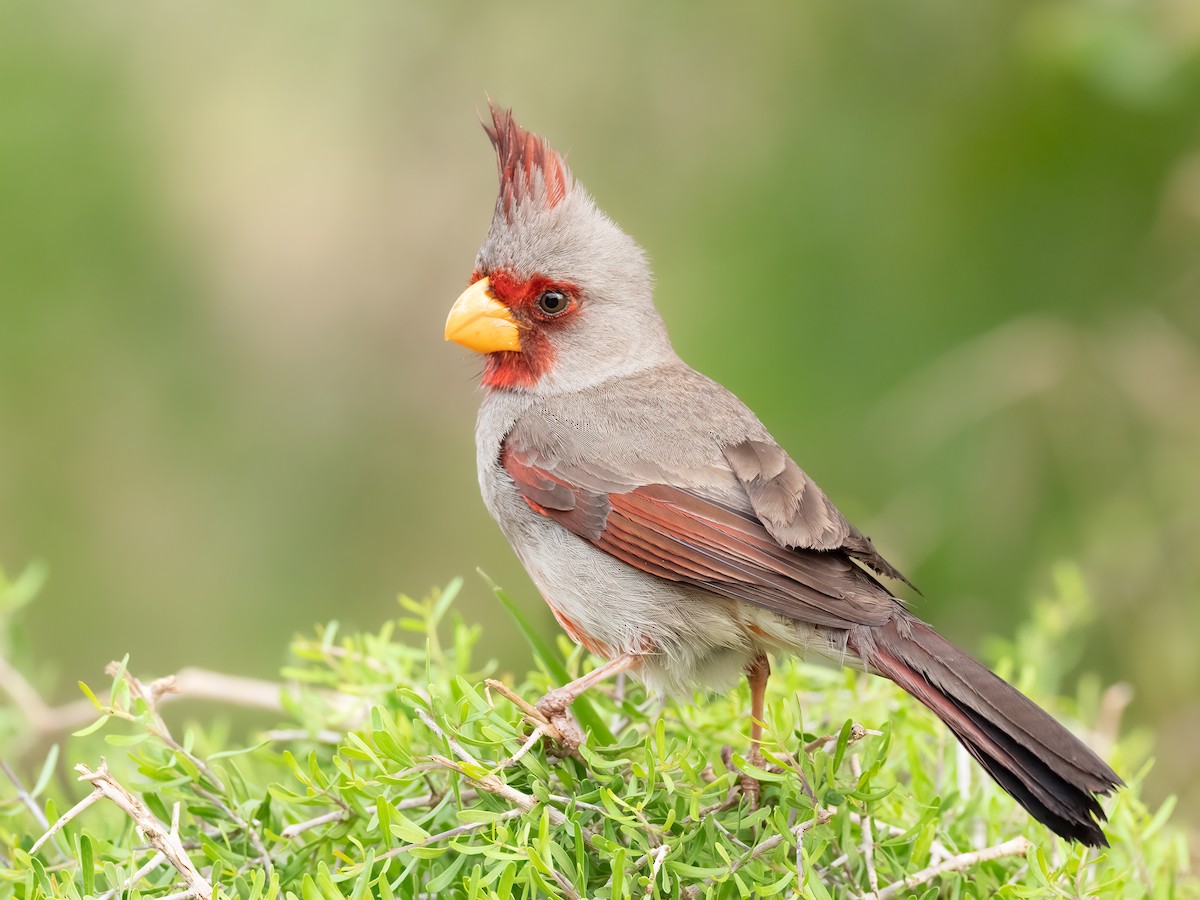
x=668, y=531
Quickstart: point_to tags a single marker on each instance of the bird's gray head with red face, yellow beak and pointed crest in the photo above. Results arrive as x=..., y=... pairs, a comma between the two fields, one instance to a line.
x=561, y=298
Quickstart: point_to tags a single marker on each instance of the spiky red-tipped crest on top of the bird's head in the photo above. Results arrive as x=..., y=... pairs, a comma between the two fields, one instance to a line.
x=521, y=157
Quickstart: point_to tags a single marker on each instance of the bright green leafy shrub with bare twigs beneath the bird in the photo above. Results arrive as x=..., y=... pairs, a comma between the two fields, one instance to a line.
x=393, y=770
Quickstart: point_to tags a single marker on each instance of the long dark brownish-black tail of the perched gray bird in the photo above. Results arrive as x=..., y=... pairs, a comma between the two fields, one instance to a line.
x=1048, y=770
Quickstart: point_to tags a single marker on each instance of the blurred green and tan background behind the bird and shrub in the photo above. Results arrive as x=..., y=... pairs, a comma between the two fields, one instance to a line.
x=950, y=253
